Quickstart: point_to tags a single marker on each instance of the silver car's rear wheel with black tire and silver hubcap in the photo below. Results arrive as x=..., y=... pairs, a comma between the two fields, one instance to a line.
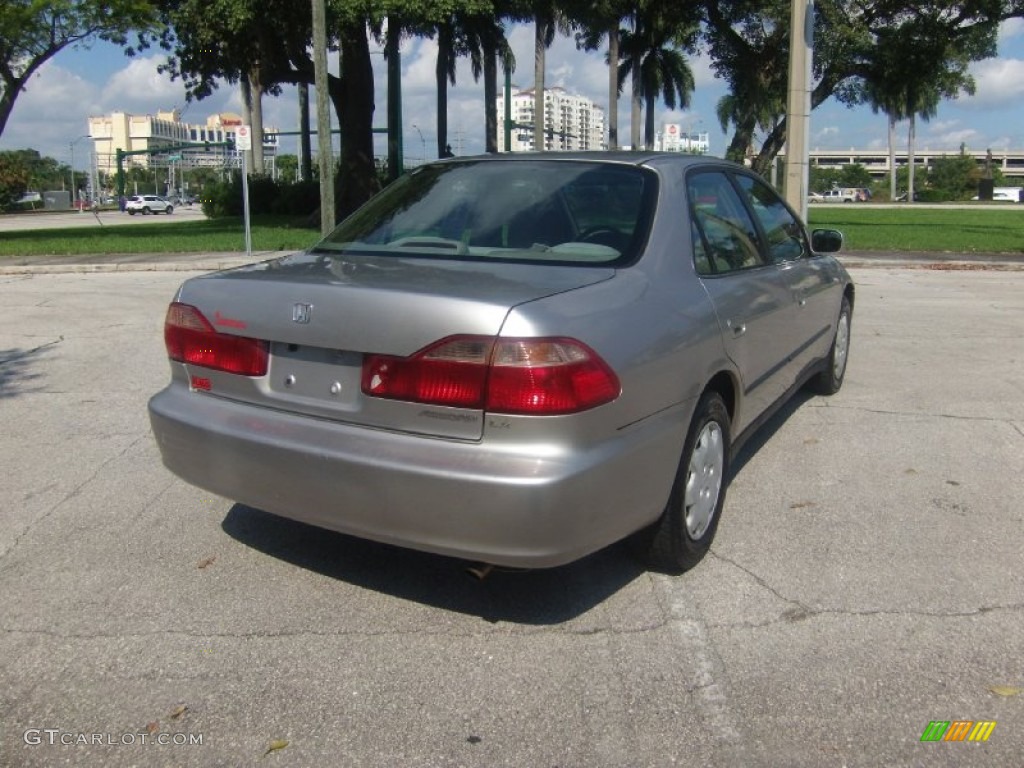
x=684, y=535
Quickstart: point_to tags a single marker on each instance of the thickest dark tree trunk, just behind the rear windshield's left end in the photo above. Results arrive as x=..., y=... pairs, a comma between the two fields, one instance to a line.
x=354, y=102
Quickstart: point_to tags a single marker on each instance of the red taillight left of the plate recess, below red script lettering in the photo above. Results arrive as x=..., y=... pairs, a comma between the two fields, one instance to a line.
x=191, y=339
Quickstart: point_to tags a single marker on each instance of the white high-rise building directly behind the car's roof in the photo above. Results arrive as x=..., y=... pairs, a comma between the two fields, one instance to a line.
x=571, y=122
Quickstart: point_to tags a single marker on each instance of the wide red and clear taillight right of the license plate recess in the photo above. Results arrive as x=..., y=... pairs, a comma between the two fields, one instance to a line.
x=534, y=377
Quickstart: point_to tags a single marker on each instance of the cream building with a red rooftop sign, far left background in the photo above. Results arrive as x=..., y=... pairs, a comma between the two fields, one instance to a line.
x=134, y=133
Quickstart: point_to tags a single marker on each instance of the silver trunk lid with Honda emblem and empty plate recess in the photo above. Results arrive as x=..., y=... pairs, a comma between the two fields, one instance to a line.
x=322, y=315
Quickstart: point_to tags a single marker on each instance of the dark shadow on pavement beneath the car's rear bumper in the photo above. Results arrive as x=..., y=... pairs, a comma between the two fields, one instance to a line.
x=548, y=596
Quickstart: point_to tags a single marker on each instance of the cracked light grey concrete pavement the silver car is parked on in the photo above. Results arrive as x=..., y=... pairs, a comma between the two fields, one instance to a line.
x=866, y=580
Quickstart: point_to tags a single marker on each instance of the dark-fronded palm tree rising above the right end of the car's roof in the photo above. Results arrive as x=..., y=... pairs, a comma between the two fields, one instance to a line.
x=653, y=58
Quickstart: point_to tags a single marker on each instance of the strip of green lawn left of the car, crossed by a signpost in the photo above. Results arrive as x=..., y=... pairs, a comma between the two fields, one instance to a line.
x=174, y=237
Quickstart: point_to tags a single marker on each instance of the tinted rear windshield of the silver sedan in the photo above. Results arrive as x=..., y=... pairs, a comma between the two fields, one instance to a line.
x=551, y=211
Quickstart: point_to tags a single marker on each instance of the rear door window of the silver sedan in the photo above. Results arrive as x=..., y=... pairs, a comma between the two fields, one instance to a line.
x=726, y=239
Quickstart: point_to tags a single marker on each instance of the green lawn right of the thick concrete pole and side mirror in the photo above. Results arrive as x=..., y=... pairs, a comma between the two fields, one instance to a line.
x=953, y=230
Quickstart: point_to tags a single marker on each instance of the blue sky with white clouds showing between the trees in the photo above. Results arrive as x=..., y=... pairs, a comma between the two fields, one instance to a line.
x=54, y=110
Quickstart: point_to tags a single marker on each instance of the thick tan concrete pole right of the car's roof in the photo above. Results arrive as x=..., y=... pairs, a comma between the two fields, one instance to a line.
x=798, y=118
